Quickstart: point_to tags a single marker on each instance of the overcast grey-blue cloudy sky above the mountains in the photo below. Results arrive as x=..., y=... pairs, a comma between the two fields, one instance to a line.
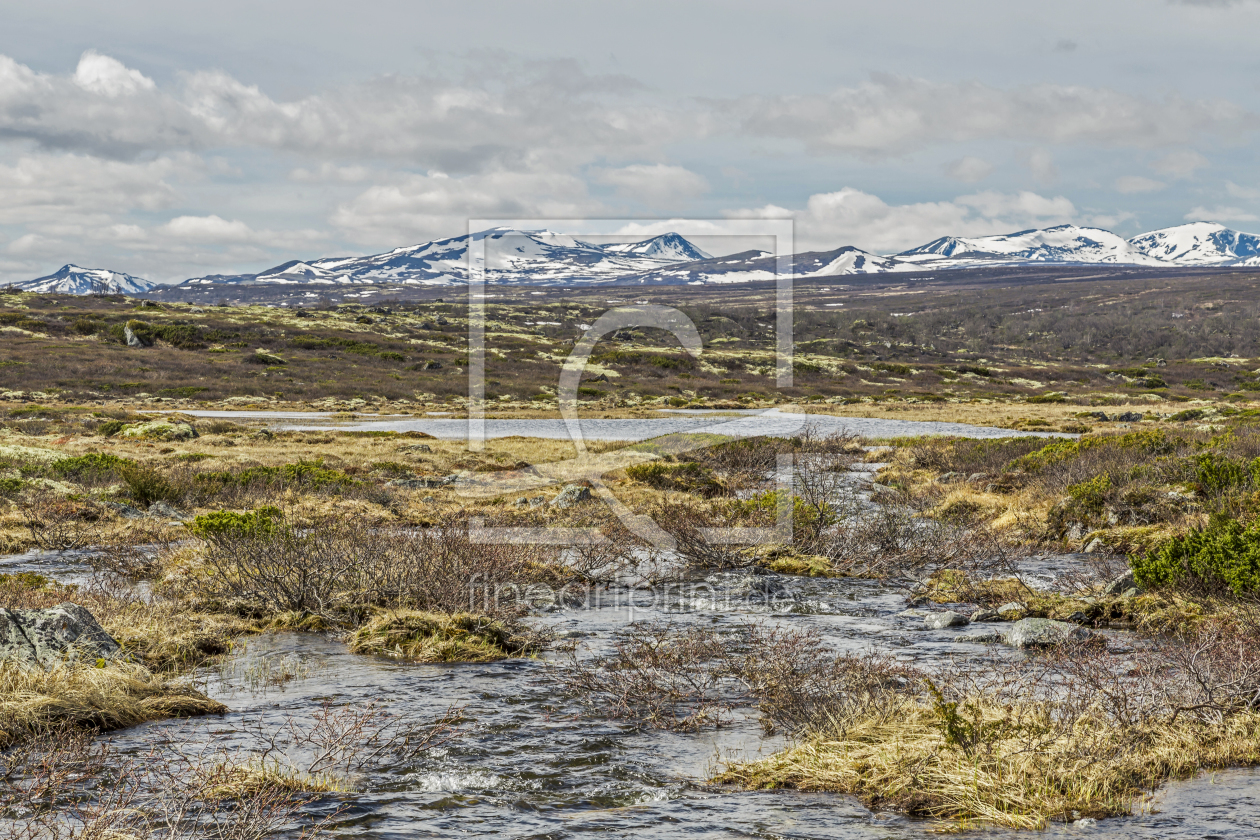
x=176, y=140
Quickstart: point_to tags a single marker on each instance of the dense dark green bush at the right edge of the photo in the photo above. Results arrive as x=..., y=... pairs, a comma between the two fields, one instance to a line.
x=1225, y=555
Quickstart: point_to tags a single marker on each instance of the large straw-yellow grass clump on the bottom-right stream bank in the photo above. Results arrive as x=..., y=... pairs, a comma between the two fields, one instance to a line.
x=900, y=759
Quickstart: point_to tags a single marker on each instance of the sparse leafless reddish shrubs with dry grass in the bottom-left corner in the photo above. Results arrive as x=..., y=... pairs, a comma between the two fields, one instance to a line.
x=65, y=785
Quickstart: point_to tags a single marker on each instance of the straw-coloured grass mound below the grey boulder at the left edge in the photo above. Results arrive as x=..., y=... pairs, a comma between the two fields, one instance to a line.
x=106, y=696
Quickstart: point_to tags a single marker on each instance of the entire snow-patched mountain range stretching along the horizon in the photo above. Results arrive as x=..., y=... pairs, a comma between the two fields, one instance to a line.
x=550, y=259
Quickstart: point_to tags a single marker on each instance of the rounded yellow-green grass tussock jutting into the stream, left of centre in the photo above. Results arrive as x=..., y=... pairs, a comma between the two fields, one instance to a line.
x=438, y=638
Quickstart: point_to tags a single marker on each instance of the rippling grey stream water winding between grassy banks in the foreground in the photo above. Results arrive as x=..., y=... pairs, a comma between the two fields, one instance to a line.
x=536, y=766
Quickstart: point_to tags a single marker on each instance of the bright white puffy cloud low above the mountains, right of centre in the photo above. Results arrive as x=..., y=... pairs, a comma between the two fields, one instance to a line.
x=857, y=219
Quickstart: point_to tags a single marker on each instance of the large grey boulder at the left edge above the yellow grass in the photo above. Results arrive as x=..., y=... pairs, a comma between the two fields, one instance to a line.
x=66, y=633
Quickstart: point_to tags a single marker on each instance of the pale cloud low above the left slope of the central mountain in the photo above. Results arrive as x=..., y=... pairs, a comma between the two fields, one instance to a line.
x=421, y=207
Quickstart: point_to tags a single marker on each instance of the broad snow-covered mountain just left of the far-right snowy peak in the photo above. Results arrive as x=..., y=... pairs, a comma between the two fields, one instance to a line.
x=1062, y=244
